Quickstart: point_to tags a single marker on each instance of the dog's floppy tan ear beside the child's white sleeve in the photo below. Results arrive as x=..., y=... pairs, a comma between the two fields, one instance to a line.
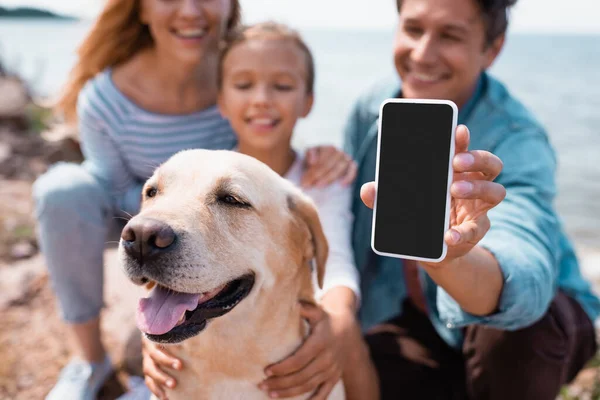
x=305, y=210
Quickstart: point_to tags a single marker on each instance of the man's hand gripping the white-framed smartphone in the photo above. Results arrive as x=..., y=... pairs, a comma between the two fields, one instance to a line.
x=473, y=194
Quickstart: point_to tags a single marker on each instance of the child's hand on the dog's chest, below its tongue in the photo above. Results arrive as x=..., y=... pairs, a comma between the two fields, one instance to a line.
x=156, y=361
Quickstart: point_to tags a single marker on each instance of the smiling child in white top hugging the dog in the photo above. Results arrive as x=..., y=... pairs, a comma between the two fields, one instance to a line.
x=266, y=78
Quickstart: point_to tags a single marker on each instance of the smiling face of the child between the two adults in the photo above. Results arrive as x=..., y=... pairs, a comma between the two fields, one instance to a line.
x=264, y=91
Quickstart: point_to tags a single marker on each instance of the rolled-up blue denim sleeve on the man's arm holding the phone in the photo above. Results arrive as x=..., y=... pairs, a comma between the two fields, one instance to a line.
x=524, y=237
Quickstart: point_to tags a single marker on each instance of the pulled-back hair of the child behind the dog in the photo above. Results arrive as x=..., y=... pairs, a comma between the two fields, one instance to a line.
x=267, y=30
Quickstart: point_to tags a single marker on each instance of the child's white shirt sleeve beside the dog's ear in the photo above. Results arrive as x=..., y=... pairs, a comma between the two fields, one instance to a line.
x=333, y=205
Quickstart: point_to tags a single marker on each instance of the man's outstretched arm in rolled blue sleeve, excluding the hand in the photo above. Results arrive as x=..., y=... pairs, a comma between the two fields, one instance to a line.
x=522, y=240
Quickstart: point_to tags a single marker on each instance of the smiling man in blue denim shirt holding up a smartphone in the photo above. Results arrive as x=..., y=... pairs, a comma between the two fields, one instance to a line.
x=507, y=315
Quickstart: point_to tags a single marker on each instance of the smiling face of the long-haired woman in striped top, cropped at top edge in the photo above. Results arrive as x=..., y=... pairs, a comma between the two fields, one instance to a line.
x=186, y=30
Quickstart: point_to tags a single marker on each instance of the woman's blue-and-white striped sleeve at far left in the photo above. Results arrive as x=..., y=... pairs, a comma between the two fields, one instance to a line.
x=103, y=158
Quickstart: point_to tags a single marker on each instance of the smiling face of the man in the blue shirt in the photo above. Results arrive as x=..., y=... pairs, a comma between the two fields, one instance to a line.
x=440, y=49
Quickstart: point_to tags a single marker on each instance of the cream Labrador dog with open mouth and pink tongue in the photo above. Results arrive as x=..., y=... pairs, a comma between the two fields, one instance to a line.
x=228, y=248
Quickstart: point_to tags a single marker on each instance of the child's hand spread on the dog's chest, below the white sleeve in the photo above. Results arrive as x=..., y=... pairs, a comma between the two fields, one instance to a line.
x=316, y=366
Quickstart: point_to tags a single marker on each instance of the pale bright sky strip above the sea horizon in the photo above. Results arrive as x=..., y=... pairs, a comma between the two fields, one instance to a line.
x=555, y=16
